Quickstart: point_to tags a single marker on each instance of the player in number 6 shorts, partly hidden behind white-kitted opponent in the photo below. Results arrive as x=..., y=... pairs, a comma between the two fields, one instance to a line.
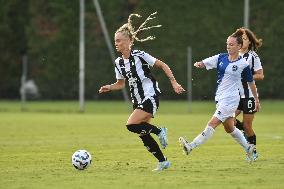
x=248, y=51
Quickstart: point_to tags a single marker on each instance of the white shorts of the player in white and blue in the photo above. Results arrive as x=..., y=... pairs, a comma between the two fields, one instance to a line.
x=226, y=108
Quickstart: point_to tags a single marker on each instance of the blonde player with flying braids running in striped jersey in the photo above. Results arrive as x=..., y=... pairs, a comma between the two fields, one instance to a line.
x=134, y=66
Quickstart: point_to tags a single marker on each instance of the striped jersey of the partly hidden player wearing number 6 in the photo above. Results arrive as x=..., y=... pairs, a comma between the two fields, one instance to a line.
x=254, y=62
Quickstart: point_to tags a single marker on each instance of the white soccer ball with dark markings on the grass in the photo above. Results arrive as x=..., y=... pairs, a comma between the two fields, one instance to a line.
x=81, y=159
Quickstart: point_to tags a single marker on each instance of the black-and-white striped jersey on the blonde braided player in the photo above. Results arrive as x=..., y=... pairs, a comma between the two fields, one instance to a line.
x=136, y=70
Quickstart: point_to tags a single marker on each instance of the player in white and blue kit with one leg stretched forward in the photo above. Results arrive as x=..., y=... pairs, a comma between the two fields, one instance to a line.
x=230, y=66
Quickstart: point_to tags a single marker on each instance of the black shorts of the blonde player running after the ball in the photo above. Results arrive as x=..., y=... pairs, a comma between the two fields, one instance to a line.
x=149, y=105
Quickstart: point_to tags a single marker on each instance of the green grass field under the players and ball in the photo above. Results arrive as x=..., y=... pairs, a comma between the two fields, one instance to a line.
x=36, y=148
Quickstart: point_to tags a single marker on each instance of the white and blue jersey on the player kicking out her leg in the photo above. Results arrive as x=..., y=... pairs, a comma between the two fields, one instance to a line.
x=229, y=75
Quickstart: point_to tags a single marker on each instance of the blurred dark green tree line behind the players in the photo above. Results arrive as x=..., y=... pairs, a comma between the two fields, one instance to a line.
x=48, y=32
